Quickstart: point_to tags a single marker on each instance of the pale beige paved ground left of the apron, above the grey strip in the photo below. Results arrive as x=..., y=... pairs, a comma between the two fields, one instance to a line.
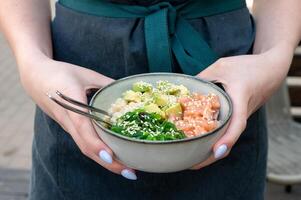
x=16, y=115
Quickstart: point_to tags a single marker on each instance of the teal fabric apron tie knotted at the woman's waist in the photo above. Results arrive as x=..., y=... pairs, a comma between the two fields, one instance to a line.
x=167, y=30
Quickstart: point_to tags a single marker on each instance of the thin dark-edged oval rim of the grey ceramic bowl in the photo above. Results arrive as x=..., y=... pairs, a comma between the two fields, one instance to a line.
x=225, y=122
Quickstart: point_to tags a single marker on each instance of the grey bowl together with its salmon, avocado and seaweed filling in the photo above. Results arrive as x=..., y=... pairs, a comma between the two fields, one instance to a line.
x=157, y=126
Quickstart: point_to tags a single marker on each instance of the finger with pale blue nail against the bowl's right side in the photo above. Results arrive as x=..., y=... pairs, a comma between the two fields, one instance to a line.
x=237, y=125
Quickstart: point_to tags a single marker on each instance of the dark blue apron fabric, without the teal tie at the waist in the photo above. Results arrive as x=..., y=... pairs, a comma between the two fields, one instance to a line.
x=116, y=48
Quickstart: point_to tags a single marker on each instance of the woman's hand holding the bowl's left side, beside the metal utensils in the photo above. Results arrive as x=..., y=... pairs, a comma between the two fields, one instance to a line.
x=44, y=76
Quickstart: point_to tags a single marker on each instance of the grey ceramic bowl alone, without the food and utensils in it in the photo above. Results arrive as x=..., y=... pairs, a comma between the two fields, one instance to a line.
x=161, y=156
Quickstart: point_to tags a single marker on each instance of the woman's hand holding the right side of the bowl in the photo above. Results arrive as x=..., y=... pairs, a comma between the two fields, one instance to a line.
x=249, y=80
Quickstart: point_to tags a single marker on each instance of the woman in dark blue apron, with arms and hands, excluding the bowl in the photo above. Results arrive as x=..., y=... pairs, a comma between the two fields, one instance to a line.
x=91, y=45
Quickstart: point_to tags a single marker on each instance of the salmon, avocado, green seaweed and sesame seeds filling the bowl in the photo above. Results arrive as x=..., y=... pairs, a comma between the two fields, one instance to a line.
x=163, y=112
